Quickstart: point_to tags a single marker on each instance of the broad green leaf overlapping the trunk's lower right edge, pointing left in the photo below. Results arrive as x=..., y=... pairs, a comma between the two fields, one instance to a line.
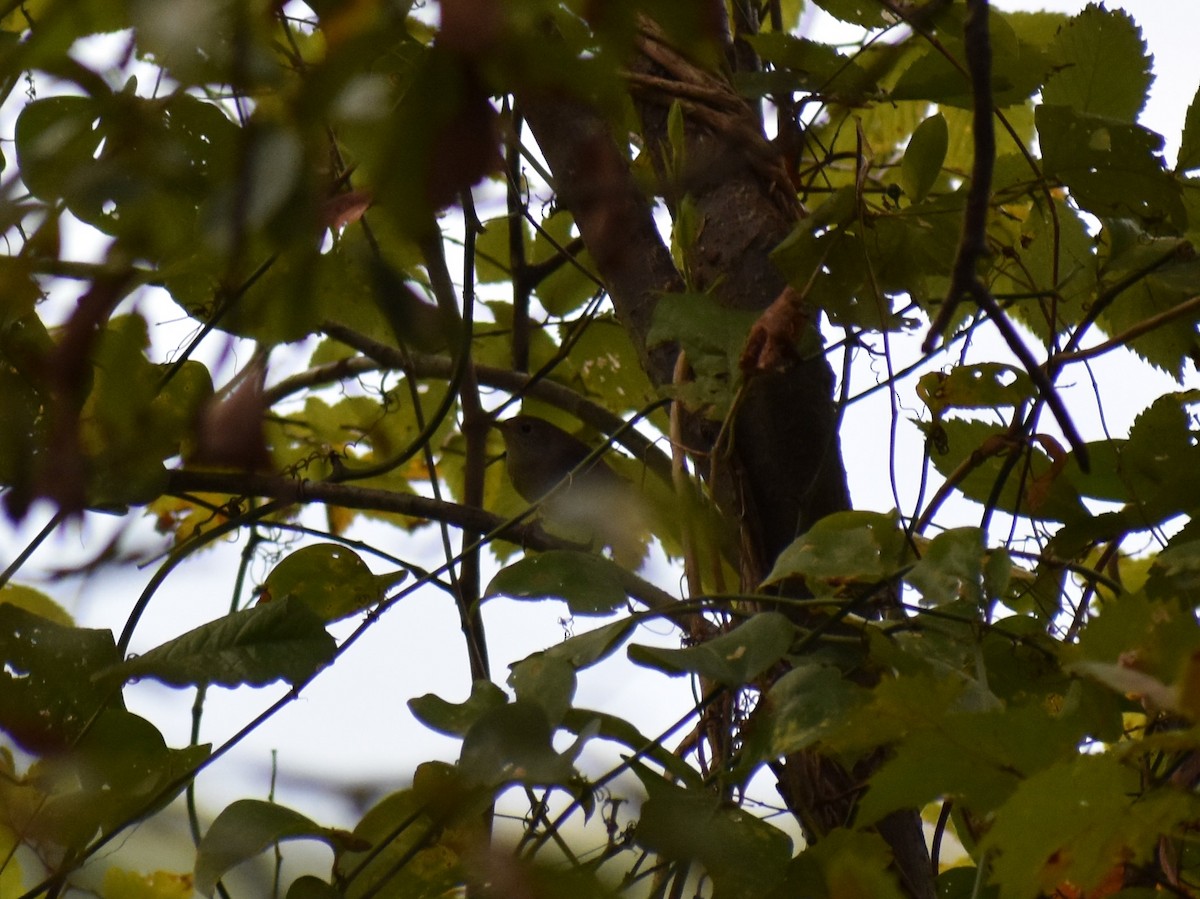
x=844, y=548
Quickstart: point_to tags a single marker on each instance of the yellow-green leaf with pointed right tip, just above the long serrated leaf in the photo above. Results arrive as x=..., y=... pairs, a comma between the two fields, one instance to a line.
x=332, y=580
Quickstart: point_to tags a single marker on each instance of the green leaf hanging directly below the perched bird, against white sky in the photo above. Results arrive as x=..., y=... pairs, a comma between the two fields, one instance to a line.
x=590, y=584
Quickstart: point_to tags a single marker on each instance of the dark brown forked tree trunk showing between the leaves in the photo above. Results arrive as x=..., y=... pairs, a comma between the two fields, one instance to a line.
x=779, y=469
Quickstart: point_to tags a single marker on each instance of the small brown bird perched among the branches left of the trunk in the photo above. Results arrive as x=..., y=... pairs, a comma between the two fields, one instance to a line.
x=544, y=465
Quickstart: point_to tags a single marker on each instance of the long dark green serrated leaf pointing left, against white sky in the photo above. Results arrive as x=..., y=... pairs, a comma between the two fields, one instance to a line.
x=273, y=642
